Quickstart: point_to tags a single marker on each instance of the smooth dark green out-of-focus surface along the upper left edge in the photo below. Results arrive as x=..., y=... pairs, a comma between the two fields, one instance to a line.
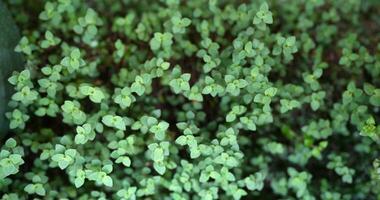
x=9, y=61
